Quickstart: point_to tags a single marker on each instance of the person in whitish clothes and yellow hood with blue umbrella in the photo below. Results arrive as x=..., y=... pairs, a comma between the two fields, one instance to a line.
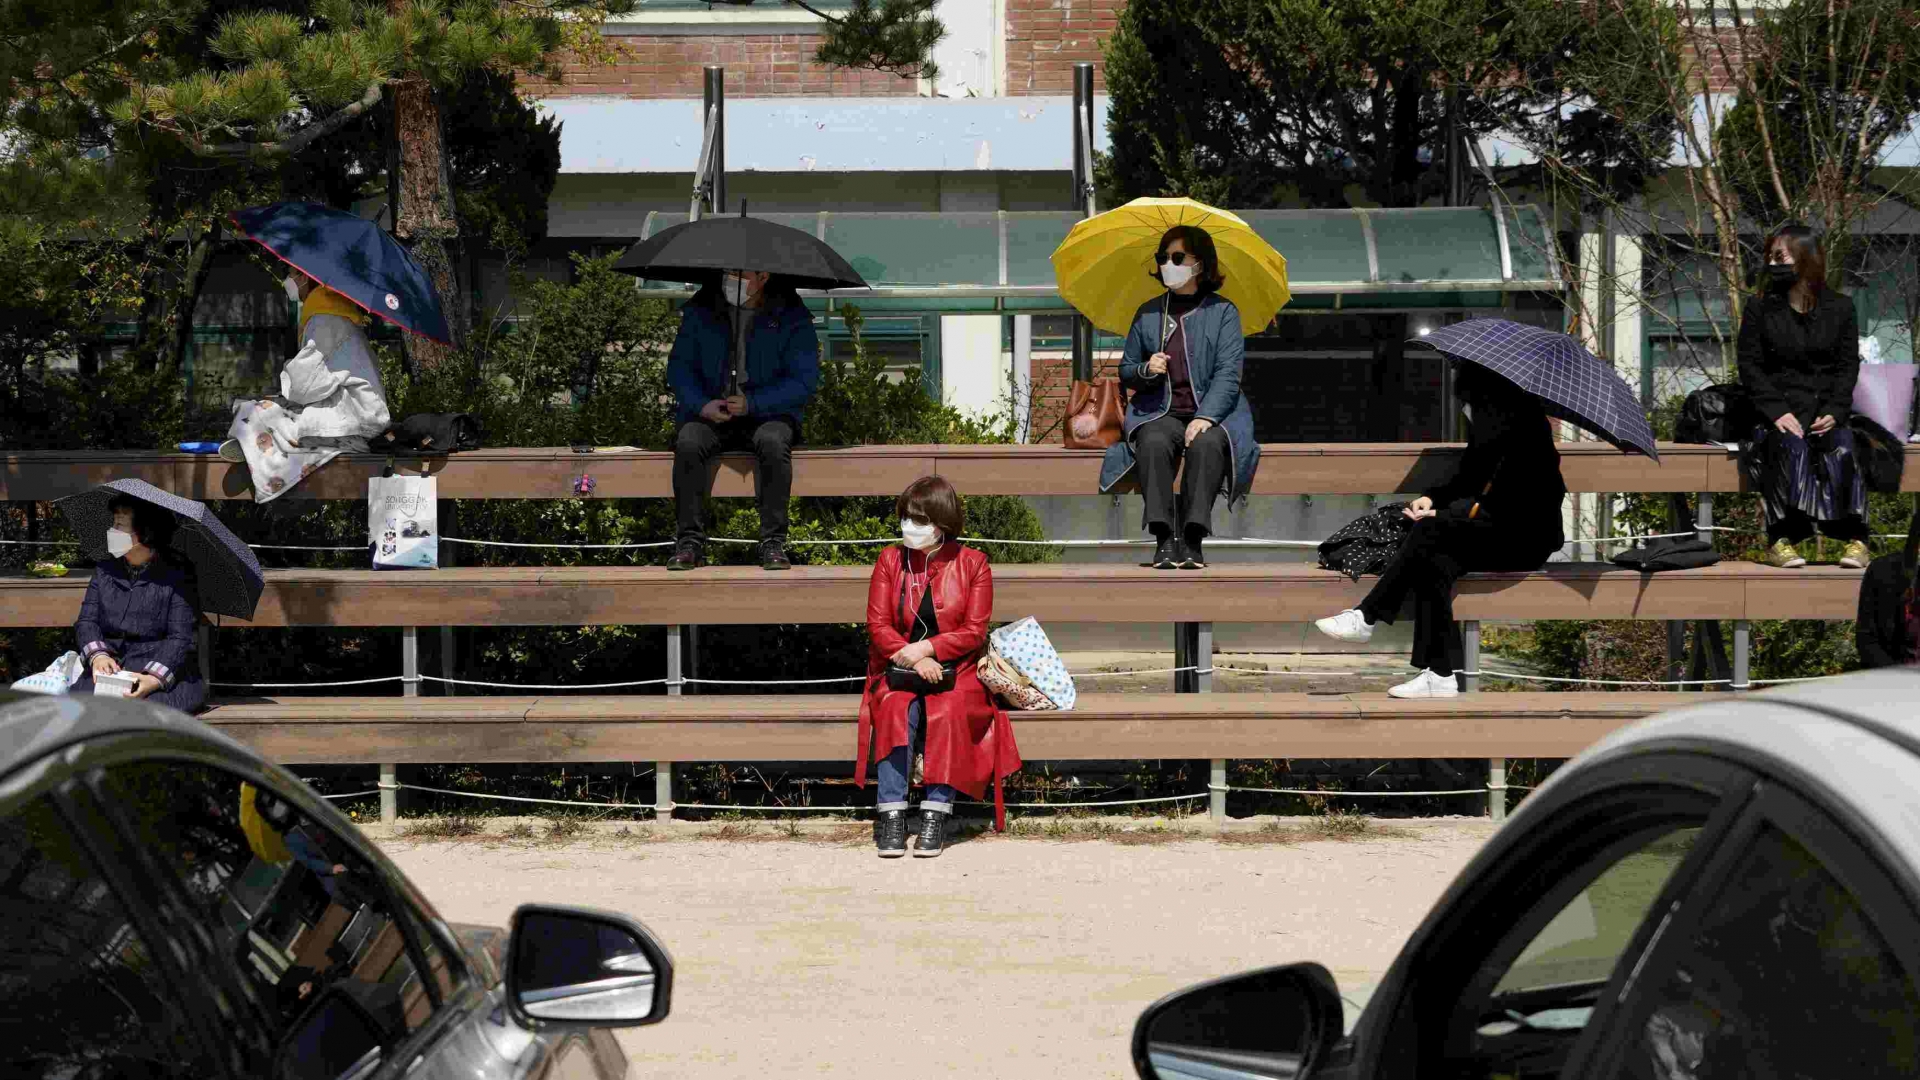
x=343, y=272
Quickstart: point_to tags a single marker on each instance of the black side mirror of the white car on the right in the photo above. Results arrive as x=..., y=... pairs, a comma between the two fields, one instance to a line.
x=1264, y=1025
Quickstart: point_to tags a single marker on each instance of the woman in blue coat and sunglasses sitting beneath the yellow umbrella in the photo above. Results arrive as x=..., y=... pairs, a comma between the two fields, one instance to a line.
x=1182, y=368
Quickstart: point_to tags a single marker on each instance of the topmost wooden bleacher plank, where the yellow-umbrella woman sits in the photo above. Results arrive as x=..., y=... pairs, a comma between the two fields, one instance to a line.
x=546, y=474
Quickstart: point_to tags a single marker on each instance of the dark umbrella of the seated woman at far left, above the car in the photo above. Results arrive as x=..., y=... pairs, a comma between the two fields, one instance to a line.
x=229, y=576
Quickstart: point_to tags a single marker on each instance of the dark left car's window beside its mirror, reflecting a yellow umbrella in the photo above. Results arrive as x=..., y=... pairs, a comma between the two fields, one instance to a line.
x=291, y=906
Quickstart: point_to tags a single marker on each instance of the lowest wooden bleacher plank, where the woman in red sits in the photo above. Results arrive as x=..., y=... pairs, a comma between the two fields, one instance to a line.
x=821, y=727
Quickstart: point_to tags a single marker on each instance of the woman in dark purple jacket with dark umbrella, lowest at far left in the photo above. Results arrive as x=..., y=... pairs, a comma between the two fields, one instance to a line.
x=162, y=562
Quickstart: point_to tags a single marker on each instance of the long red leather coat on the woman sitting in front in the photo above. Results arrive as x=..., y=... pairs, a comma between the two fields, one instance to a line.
x=969, y=739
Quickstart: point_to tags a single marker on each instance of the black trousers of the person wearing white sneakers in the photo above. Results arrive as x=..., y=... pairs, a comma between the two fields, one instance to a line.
x=1429, y=566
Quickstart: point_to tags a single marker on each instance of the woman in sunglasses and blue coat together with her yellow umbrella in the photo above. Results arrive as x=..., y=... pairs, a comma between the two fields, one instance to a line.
x=1186, y=283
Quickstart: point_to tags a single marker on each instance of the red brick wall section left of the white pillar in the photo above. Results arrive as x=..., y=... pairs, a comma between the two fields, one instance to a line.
x=759, y=66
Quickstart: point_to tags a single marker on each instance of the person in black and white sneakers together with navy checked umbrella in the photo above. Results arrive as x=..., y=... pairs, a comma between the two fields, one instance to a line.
x=1502, y=510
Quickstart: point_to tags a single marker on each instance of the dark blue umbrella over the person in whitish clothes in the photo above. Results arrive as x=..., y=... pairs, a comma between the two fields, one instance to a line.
x=352, y=257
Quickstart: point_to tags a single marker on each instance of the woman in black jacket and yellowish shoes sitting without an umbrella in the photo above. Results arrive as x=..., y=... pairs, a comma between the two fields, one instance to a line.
x=1800, y=356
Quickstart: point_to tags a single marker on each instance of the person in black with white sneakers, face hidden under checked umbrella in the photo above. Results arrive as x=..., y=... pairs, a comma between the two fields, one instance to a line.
x=1502, y=512
